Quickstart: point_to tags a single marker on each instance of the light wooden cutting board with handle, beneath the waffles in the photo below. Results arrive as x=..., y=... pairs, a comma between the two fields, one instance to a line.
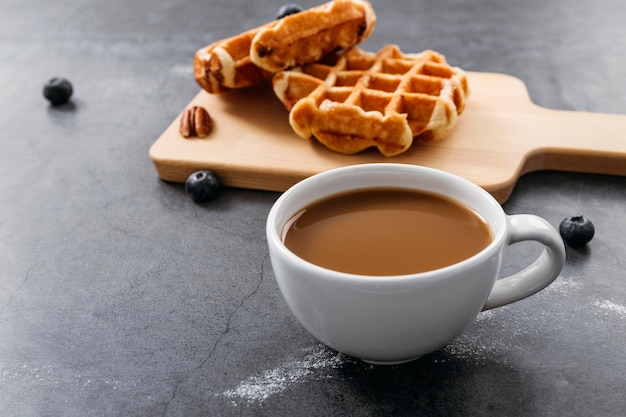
x=500, y=136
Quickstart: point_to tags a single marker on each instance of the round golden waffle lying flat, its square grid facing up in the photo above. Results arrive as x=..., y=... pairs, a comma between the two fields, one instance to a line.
x=356, y=99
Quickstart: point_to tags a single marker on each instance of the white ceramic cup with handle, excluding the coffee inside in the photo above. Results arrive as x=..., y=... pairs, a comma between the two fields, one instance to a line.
x=395, y=319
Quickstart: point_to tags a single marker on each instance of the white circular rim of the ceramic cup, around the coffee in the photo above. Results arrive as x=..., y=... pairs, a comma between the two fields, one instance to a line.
x=274, y=235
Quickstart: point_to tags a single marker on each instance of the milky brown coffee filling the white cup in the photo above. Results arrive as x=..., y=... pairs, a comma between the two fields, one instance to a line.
x=386, y=231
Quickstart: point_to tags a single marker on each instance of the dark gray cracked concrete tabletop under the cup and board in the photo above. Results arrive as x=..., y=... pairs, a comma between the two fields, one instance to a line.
x=121, y=297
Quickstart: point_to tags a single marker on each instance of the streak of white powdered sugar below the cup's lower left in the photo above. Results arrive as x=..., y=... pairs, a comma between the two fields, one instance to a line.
x=258, y=388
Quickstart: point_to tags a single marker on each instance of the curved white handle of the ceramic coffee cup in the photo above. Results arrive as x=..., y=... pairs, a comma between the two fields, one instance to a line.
x=537, y=275
